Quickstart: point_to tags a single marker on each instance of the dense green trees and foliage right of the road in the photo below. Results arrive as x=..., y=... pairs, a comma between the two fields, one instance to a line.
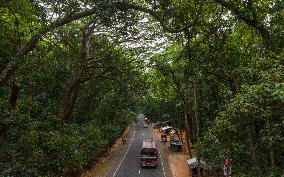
x=226, y=76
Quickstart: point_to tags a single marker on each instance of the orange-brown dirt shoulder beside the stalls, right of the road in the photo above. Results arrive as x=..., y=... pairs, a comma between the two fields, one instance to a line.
x=176, y=160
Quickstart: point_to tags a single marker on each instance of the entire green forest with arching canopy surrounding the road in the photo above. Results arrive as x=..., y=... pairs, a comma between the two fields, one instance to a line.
x=75, y=73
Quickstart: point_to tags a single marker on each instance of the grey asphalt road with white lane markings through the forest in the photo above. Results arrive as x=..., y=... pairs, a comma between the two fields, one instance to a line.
x=128, y=165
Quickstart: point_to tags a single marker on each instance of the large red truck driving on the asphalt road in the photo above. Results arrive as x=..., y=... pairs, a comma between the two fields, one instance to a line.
x=149, y=154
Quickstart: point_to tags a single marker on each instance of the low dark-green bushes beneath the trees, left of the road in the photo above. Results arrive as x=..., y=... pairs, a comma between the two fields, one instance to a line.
x=30, y=150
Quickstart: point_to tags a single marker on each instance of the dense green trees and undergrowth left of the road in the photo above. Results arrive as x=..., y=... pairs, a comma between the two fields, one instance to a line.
x=69, y=99
